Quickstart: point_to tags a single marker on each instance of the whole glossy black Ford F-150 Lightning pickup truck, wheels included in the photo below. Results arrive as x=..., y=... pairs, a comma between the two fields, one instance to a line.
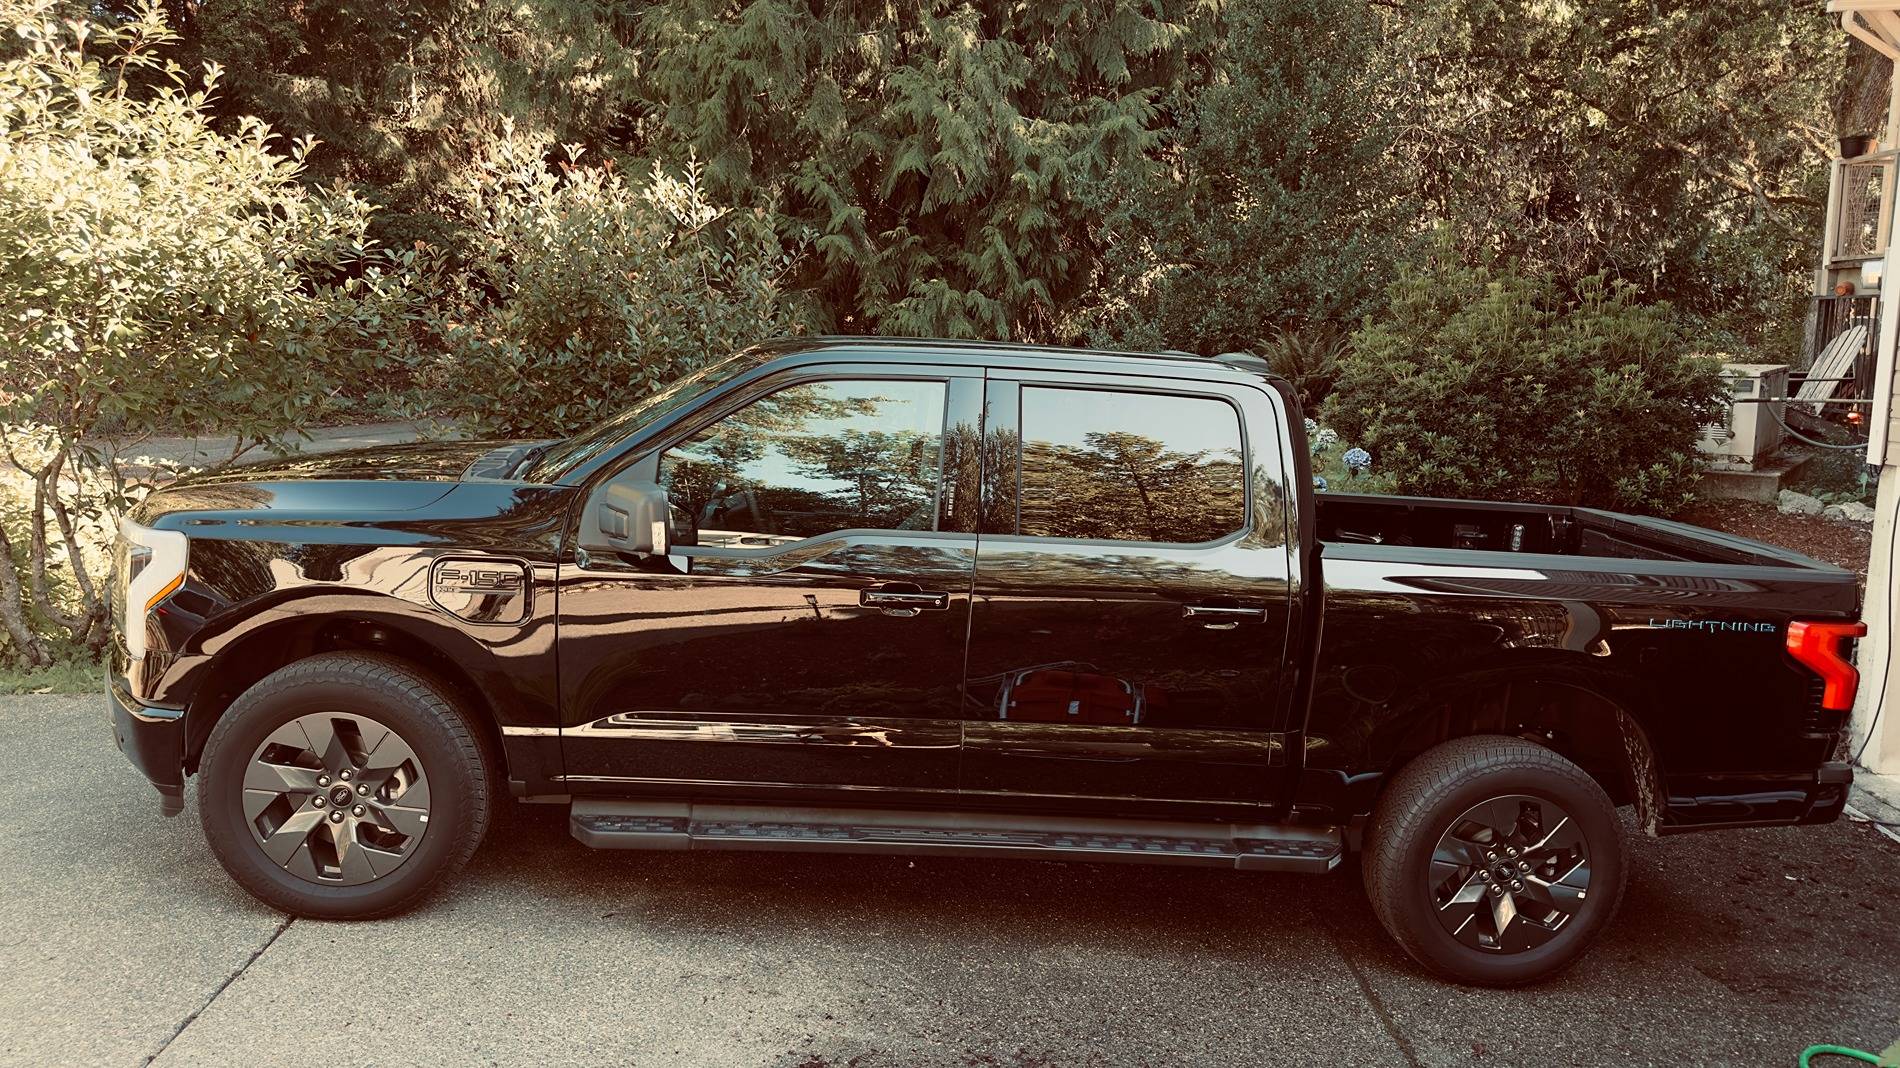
x=938, y=598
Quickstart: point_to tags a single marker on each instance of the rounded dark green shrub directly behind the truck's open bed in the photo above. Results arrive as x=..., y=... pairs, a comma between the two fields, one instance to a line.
x=1491, y=383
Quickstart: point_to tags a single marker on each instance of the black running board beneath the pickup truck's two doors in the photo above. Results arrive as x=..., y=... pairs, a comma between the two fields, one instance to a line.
x=611, y=824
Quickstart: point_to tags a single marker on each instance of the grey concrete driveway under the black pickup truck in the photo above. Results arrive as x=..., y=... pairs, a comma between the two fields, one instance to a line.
x=124, y=944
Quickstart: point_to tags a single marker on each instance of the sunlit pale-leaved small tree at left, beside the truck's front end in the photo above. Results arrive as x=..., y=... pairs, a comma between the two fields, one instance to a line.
x=155, y=275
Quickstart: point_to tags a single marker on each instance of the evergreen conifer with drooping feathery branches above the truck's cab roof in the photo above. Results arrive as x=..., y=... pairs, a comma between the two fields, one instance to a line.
x=949, y=162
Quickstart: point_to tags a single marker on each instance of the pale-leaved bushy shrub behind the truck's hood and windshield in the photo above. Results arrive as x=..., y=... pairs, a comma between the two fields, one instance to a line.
x=579, y=292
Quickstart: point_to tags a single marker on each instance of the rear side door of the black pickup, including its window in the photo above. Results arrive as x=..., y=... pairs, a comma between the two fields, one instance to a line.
x=1131, y=601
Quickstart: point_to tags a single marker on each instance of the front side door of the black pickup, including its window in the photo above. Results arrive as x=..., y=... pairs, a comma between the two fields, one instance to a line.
x=807, y=630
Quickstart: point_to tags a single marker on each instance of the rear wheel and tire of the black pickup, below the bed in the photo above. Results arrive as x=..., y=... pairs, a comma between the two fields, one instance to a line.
x=1430, y=849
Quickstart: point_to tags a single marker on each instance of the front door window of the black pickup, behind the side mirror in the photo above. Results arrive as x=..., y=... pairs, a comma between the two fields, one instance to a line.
x=810, y=461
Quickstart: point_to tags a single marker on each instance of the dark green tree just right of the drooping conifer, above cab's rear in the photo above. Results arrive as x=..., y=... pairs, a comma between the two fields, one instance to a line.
x=1282, y=206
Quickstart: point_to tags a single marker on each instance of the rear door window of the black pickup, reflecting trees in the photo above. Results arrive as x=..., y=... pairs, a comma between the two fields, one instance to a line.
x=1131, y=467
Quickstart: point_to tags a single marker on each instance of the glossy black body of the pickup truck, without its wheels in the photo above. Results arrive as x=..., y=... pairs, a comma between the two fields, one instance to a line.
x=1268, y=658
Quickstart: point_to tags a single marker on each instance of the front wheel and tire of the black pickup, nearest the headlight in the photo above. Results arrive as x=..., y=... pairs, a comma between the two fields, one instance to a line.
x=421, y=809
